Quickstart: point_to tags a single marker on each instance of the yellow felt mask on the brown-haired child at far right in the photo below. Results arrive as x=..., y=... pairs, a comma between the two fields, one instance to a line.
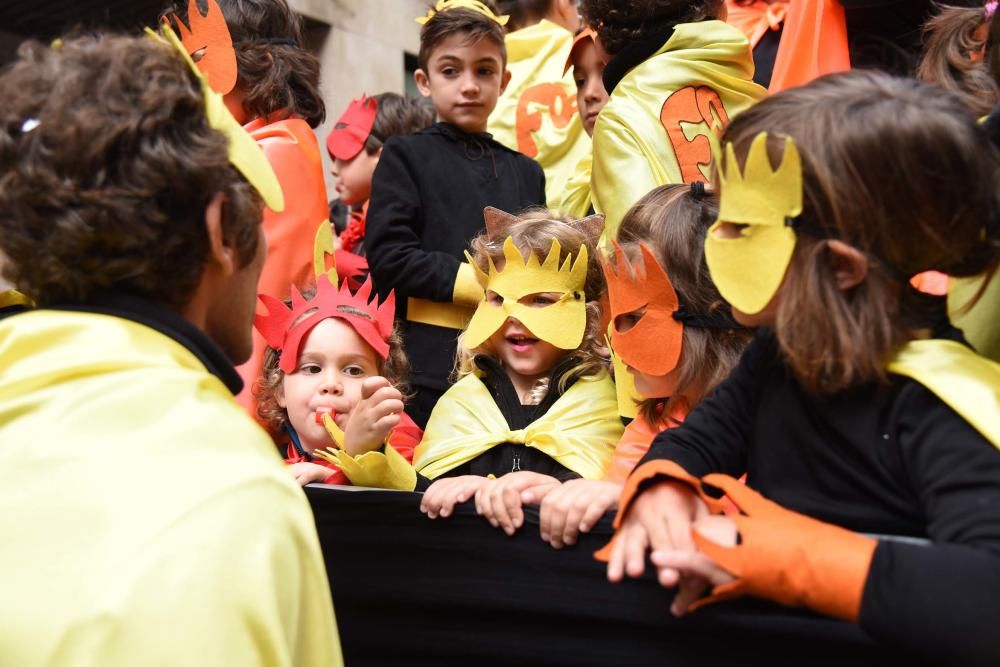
x=748, y=269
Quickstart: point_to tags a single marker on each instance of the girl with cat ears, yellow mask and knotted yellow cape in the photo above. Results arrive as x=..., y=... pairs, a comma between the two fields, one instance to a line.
x=533, y=393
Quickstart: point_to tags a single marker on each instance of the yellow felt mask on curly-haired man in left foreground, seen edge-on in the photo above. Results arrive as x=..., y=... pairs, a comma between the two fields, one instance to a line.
x=243, y=152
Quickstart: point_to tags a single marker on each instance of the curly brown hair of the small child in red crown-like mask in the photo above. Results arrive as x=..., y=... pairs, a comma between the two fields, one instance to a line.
x=395, y=369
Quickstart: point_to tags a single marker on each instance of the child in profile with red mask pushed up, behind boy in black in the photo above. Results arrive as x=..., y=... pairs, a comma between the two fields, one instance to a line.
x=355, y=144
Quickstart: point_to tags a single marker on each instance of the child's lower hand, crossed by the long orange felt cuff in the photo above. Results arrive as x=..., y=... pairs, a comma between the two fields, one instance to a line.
x=697, y=571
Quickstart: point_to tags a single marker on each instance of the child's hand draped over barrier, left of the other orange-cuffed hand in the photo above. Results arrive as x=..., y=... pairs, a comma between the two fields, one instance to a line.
x=658, y=519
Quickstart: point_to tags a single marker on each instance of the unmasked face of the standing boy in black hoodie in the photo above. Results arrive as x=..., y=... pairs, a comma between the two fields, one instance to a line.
x=464, y=81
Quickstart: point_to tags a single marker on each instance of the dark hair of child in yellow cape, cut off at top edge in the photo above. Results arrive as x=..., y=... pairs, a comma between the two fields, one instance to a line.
x=618, y=23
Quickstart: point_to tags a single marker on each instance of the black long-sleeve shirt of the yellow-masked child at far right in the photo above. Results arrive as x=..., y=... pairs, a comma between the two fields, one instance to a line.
x=886, y=459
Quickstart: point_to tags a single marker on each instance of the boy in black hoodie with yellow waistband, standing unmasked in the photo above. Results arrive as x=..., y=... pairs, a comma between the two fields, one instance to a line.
x=430, y=188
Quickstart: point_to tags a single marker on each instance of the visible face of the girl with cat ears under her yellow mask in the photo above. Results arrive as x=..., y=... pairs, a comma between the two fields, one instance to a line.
x=525, y=357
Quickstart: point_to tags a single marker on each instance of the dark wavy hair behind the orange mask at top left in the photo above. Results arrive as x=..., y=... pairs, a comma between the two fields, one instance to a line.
x=274, y=76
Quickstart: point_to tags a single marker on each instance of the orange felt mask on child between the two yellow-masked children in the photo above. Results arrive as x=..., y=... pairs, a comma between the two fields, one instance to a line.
x=653, y=344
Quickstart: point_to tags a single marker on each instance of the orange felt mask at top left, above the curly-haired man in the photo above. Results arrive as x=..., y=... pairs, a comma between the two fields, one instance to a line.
x=210, y=33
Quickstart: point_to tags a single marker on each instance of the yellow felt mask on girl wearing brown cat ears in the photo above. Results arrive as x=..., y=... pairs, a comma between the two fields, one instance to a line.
x=561, y=324
